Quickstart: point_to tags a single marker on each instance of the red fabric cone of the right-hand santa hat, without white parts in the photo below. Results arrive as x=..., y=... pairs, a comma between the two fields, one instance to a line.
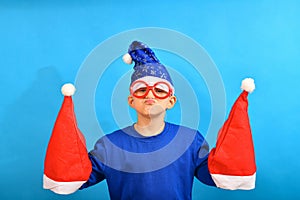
x=234, y=151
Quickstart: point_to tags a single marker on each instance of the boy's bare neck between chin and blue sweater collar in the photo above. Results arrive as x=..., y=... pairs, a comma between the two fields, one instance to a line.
x=149, y=127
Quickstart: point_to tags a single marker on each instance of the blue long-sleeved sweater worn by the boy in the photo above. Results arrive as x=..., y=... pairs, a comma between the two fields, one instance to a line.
x=157, y=167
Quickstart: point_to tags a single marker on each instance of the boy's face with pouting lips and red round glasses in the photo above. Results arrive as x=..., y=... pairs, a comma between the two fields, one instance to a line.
x=151, y=99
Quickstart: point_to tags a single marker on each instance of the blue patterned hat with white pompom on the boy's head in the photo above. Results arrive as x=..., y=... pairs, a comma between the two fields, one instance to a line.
x=146, y=63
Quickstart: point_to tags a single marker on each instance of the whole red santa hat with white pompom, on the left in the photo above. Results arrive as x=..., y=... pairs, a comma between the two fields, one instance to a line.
x=67, y=165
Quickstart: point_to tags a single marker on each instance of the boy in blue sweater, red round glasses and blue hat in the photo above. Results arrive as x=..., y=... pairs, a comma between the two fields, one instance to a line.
x=151, y=94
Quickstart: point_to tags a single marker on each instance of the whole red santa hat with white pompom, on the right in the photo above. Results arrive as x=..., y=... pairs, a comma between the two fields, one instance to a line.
x=232, y=162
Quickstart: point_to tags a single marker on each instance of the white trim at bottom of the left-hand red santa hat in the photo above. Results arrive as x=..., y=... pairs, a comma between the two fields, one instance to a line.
x=61, y=187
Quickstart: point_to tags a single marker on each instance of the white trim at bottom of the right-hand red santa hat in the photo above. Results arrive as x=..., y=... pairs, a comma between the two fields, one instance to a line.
x=234, y=182
